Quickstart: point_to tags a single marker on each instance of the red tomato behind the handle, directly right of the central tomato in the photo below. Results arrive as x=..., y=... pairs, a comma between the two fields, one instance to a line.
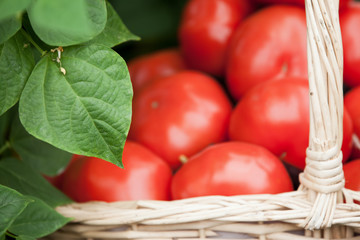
x=275, y=115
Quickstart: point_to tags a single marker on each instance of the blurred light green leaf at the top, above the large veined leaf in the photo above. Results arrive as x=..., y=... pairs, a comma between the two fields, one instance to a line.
x=67, y=22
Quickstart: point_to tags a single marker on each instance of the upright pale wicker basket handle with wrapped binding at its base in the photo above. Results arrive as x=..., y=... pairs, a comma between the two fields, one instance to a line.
x=323, y=175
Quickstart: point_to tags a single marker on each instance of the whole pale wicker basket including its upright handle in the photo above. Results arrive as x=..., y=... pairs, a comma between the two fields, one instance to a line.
x=321, y=207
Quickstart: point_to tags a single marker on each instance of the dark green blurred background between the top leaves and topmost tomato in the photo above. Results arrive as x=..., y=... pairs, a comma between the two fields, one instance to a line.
x=154, y=21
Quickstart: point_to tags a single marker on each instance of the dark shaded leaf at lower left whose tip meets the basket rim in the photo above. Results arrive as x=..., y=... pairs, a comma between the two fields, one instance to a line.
x=19, y=176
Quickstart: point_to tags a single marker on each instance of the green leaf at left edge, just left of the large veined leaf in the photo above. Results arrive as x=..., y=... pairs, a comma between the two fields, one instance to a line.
x=16, y=64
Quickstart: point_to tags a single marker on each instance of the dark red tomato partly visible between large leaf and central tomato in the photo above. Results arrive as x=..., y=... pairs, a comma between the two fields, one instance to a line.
x=149, y=67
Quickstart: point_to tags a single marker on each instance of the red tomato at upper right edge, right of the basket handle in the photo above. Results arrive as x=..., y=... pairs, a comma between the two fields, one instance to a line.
x=350, y=20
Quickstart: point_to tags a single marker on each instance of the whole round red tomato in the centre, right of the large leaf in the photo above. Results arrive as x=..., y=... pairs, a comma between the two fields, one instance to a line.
x=180, y=114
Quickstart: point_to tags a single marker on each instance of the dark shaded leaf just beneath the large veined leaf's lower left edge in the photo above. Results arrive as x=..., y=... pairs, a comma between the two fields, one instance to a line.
x=40, y=155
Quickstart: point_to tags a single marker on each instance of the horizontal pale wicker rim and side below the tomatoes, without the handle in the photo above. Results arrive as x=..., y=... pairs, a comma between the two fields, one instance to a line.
x=252, y=216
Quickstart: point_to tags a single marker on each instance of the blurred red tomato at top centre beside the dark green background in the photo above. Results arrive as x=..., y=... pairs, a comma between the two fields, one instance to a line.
x=205, y=30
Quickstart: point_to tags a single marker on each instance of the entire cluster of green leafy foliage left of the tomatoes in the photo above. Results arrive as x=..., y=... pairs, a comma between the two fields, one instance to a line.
x=63, y=90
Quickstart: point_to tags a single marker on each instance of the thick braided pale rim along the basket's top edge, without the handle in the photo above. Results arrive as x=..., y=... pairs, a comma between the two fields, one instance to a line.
x=292, y=207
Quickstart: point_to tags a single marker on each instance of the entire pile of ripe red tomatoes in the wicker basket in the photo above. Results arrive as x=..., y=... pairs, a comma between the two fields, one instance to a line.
x=226, y=112
